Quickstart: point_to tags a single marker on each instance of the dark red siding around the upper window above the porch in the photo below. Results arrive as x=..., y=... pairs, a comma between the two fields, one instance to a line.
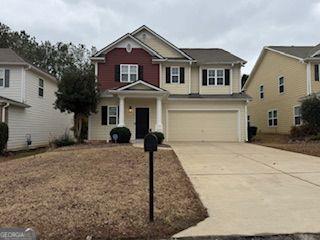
x=117, y=56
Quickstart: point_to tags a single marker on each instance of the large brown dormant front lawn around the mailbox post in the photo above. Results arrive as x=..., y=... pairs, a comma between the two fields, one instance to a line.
x=98, y=192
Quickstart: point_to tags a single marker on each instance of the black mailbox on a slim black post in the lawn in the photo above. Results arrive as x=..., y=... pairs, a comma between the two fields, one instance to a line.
x=151, y=145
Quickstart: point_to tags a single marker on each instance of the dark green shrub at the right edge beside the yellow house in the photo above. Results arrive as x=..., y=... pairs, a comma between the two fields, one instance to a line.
x=310, y=112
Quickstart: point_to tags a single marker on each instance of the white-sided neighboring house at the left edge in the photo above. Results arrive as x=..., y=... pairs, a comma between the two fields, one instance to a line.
x=27, y=95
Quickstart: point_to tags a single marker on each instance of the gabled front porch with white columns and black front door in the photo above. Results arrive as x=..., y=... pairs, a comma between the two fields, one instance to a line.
x=137, y=106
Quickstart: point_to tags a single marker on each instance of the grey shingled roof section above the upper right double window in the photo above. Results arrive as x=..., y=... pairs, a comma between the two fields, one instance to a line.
x=212, y=55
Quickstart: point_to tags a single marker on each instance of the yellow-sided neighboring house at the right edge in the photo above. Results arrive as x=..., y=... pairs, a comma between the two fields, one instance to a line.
x=281, y=77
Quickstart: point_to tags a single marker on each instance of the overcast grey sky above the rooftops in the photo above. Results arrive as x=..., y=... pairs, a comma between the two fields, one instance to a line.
x=242, y=27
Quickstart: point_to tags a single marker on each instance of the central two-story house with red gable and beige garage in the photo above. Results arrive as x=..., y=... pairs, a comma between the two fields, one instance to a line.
x=148, y=84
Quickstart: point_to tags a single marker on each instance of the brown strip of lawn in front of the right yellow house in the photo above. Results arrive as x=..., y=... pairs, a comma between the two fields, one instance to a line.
x=283, y=142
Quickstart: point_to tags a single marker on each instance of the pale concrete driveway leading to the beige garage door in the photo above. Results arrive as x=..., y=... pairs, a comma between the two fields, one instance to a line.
x=250, y=189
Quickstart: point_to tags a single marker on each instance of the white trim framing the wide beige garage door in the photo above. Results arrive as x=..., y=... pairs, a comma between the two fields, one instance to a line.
x=205, y=110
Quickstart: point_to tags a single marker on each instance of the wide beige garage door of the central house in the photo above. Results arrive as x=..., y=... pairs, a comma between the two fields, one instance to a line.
x=193, y=125
